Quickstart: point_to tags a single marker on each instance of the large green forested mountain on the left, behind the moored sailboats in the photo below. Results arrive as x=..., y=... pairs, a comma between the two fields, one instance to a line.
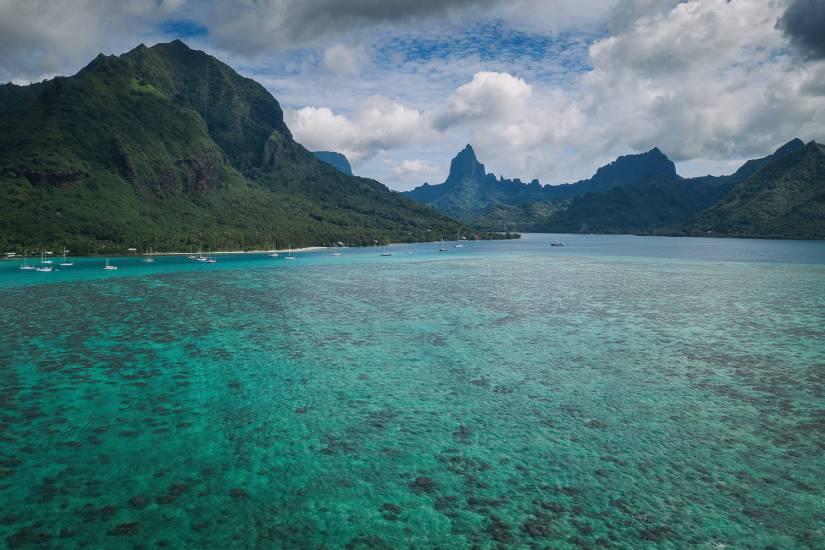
x=170, y=148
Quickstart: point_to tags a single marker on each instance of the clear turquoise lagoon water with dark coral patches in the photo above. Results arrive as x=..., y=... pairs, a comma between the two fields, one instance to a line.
x=622, y=392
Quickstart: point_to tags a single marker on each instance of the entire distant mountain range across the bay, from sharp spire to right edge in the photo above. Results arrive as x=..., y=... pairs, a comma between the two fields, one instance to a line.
x=780, y=196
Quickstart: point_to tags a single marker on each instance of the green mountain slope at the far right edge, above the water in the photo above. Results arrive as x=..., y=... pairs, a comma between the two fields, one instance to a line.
x=782, y=199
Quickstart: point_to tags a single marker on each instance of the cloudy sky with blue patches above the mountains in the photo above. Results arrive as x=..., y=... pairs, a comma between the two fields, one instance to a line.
x=546, y=89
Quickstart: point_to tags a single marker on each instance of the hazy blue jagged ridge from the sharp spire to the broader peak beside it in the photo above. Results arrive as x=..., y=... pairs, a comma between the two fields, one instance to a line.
x=472, y=195
